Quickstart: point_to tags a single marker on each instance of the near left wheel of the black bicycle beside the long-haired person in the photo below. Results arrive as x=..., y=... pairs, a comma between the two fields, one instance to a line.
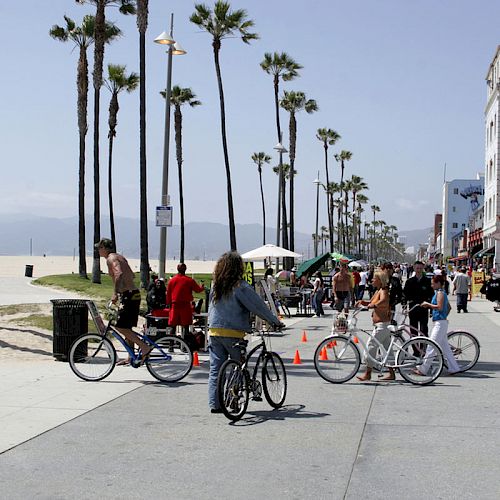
x=232, y=390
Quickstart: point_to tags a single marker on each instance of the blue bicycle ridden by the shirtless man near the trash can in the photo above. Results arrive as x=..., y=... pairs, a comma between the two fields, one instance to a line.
x=93, y=357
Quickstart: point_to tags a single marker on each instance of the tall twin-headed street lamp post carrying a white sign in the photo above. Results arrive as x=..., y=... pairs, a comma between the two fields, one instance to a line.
x=174, y=48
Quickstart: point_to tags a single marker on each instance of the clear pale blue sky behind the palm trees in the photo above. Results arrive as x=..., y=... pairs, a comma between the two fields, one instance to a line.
x=402, y=81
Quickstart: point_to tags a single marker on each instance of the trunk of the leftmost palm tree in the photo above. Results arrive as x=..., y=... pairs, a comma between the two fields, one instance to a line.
x=82, y=85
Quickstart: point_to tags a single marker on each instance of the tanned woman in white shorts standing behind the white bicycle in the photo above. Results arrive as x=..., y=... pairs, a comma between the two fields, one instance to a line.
x=381, y=317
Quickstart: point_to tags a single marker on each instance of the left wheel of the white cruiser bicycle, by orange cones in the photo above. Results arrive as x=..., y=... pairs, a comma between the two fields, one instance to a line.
x=341, y=361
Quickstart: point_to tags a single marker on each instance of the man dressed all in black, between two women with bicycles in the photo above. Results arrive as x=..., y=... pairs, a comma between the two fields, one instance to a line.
x=418, y=289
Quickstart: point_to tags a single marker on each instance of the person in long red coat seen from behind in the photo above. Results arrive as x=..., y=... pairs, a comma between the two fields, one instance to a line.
x=180, y=297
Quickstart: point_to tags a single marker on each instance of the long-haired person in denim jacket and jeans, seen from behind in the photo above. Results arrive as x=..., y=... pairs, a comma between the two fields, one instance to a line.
x=231, y=301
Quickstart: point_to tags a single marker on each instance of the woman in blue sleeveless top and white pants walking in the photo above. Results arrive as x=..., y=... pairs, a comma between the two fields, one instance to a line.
x=439, y=333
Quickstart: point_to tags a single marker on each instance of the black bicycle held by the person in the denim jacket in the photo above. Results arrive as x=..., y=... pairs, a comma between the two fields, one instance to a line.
x=234, y=382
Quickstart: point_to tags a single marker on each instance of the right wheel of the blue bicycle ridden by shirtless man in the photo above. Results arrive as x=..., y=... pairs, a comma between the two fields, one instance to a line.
x=171, y=361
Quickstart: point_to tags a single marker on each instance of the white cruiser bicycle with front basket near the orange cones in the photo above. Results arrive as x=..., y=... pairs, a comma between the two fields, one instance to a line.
x=337, y=358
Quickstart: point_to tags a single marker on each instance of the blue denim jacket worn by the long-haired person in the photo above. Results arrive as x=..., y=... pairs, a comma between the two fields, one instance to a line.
x=233, y=311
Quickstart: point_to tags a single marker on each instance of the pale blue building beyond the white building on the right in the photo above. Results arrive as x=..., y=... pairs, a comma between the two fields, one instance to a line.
x=461, y=198
